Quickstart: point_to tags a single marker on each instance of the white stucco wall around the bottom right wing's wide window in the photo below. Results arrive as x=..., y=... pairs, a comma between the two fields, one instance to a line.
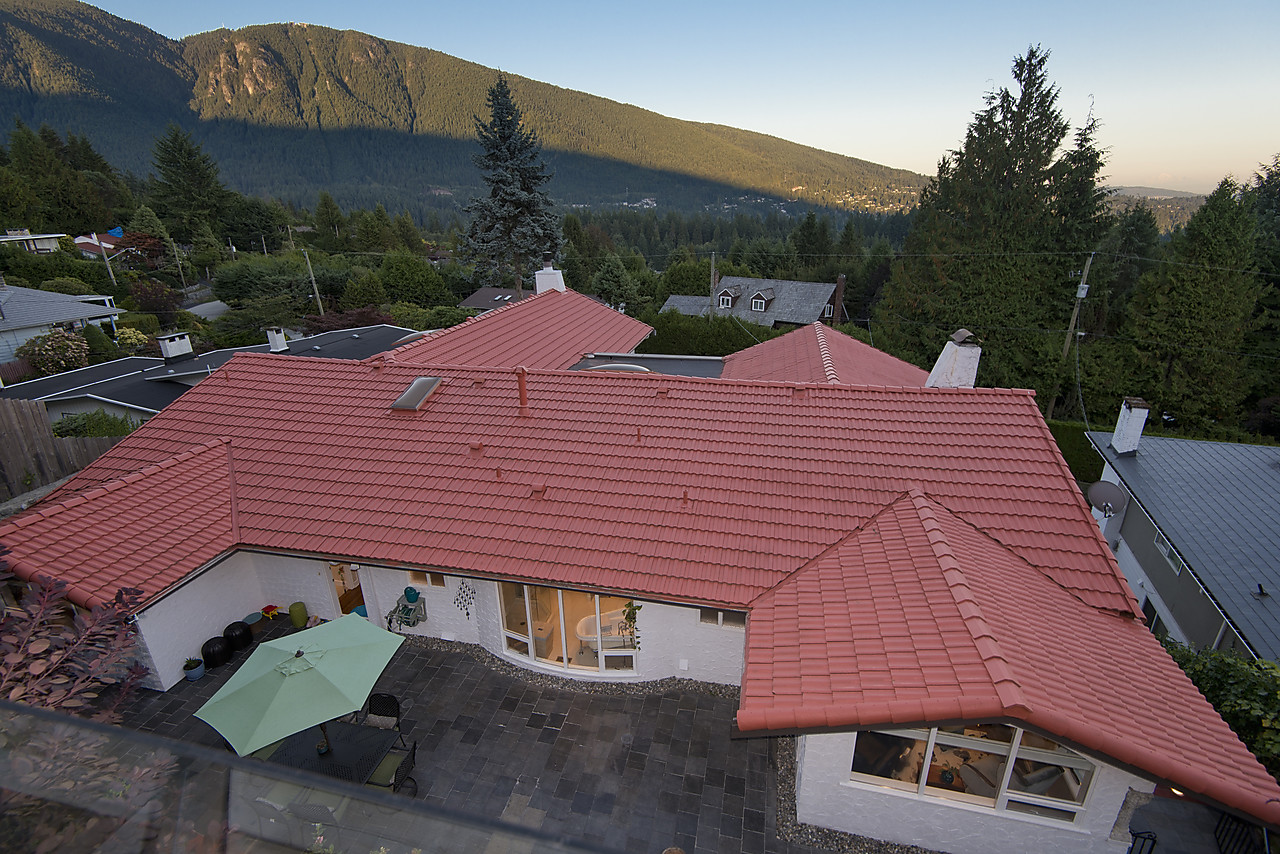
x=826, y=797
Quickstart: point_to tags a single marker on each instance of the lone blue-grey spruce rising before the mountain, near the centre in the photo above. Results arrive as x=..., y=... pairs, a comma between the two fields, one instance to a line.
x=514, y=225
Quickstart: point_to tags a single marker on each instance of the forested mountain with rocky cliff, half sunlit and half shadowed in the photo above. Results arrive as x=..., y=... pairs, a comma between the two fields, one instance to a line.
x=291, y=109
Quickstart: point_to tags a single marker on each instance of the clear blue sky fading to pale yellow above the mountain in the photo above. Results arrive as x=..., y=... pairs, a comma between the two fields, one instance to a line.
x=1187, y=93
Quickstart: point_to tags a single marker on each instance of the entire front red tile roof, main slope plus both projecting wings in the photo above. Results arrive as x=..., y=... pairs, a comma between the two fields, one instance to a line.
x=993, y=597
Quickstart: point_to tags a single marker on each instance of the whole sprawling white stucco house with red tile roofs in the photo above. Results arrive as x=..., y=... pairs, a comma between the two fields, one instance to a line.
x=908, y=579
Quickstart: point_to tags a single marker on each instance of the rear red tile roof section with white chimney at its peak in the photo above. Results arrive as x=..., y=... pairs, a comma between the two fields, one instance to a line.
x=551, y=330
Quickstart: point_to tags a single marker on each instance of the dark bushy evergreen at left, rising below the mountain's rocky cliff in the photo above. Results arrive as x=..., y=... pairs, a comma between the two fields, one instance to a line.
x=188, y=189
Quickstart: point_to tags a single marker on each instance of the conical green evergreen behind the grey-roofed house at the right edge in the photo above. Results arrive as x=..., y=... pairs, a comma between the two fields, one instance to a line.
x=1191, y=318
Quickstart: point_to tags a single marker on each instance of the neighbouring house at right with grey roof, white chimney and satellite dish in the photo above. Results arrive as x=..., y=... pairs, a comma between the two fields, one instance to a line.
x=1199, y=535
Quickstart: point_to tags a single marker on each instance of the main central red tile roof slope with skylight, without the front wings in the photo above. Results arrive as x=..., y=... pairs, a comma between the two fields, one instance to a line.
x=671, y=487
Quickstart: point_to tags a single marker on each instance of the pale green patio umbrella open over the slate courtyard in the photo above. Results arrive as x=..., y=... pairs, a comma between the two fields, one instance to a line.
x=305, y=679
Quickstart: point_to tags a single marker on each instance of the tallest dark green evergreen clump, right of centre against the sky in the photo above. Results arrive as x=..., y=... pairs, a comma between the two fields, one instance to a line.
x=999, y=234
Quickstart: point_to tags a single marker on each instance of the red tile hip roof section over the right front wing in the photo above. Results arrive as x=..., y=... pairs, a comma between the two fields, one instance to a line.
x=920, y=618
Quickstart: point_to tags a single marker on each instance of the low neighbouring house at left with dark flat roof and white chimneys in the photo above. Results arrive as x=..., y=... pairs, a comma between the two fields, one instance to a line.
x=138, y=387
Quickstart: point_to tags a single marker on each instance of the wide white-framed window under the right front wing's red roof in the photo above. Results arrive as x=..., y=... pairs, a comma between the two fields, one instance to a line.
x=990, y=765
